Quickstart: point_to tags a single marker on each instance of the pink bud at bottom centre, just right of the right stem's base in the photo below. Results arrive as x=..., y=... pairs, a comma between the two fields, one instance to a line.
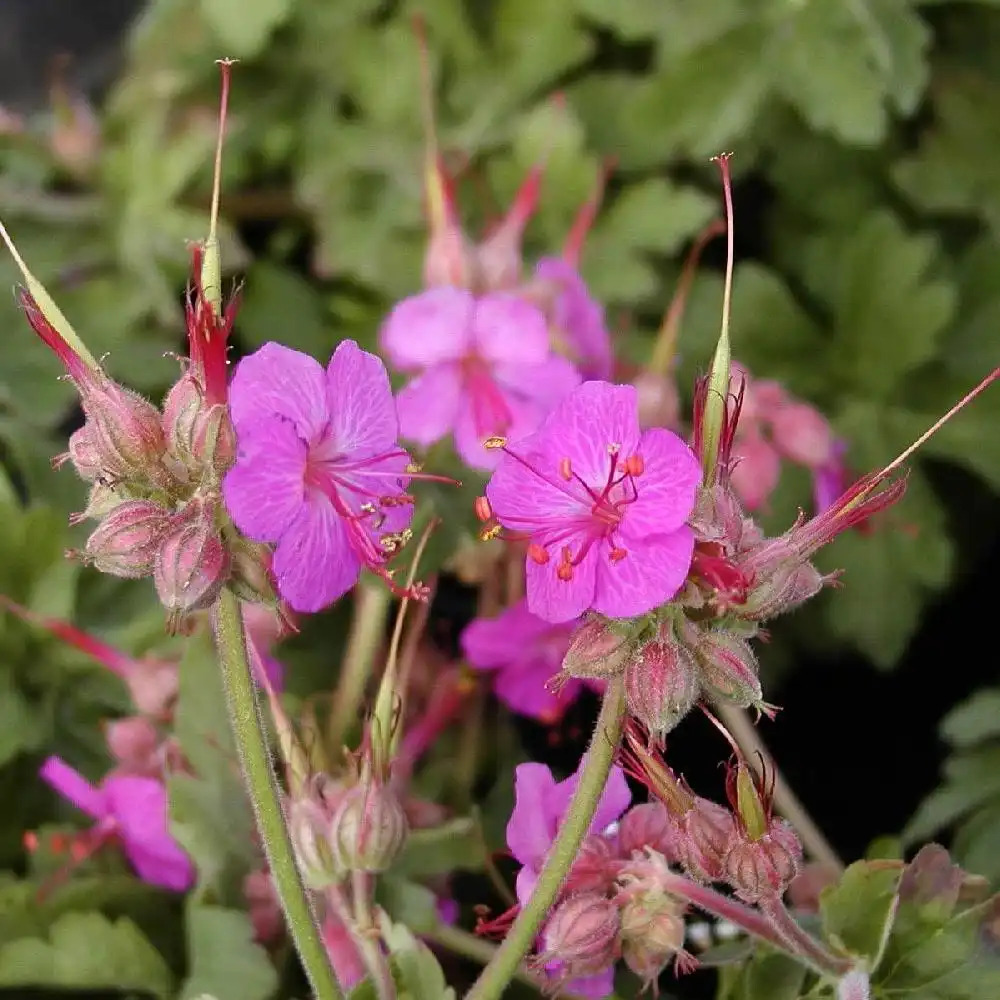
x=582, y=935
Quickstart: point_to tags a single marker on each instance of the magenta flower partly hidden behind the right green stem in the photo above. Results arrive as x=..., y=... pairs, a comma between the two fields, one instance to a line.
x=540, y=802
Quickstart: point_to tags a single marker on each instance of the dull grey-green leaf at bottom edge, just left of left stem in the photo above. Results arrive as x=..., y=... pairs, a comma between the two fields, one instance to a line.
x=223, y=957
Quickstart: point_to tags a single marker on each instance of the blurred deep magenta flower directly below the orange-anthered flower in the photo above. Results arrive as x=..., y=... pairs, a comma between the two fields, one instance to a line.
x=526, y=652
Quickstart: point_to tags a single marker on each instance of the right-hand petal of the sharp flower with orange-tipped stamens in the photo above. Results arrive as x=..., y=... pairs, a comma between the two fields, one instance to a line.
x=665, y=490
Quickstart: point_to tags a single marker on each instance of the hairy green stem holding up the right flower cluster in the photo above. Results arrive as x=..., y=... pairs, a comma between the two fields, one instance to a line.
x=593, y=776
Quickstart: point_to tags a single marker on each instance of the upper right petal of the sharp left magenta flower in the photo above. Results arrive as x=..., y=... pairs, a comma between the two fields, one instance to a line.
x=362, y=411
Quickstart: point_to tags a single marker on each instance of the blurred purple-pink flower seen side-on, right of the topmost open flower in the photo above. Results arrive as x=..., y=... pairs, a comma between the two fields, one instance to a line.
x=577, y=318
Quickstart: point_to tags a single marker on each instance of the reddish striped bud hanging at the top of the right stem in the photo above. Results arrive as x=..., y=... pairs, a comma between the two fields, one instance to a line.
x=661, y=684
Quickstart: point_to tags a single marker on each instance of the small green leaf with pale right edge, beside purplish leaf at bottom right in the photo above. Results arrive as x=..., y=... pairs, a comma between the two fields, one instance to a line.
x=857, y=912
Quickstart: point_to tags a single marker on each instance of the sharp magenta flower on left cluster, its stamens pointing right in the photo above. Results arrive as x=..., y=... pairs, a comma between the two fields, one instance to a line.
x=317, y=471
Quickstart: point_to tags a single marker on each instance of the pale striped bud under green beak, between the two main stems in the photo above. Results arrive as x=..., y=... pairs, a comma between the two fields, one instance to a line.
x=369, y=828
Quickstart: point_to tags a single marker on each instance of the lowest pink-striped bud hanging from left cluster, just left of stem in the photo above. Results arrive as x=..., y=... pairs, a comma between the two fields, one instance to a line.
x=192, y=564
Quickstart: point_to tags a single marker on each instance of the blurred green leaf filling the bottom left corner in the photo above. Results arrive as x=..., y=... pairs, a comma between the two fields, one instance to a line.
x=86, y=951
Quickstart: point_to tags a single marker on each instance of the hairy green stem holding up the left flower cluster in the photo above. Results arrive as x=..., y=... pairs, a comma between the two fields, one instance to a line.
x=262, y=786
